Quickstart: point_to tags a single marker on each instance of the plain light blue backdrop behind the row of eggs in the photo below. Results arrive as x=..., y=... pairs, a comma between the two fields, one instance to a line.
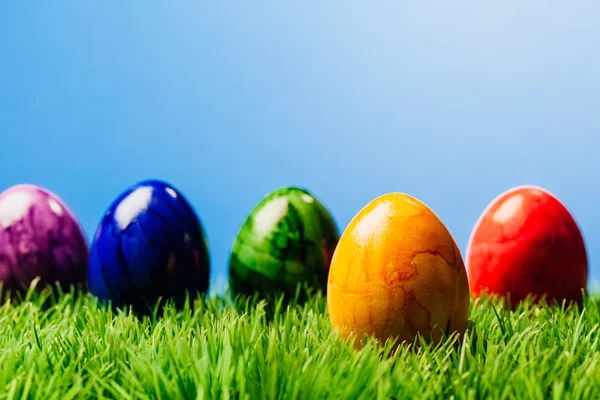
x=452, y=102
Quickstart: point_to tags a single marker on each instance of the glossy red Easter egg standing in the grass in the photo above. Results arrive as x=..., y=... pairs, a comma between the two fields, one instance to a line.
x=527, y=243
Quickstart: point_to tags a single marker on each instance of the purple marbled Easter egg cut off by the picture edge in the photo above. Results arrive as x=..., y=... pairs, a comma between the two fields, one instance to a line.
x=39, y=238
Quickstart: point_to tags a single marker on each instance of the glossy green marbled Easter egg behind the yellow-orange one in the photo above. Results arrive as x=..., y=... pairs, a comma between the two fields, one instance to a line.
x=286, y=241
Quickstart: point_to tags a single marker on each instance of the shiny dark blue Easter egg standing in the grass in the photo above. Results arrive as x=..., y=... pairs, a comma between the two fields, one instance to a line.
x=150, y=245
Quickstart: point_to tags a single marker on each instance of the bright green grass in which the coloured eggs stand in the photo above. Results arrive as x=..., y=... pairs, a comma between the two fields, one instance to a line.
x=74, y=348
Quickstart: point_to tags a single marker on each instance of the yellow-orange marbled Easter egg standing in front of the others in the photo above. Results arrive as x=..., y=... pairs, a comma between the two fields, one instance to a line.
x=397, y=273
